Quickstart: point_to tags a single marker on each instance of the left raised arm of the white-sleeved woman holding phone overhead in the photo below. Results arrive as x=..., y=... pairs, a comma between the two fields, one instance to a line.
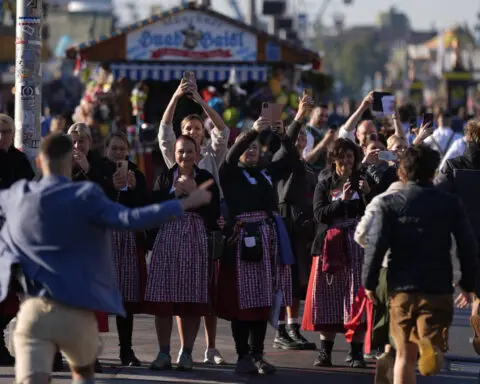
x=166, y=135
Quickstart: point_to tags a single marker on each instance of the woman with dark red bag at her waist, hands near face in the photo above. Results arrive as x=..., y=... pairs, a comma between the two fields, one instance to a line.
x=334, y=296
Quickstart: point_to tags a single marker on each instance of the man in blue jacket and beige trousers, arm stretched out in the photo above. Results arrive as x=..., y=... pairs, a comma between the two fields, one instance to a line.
x=55, y=245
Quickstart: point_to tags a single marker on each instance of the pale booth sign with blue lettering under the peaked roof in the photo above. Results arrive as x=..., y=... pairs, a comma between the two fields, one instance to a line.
x=191, y=36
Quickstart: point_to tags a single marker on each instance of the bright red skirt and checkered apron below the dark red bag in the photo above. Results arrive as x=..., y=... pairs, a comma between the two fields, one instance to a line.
x=330, y=297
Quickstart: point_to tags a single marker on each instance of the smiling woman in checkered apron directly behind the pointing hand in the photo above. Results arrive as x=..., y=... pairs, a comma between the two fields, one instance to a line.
x=181, y=272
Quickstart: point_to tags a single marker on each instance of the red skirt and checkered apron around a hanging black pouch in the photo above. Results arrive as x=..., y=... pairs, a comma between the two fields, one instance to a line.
x=245, y=289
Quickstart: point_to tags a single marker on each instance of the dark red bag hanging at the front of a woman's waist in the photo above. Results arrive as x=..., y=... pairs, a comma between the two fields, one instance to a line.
x=334, y=253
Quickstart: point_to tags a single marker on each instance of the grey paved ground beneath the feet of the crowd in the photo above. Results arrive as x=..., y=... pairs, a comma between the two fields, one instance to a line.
x=293, y=366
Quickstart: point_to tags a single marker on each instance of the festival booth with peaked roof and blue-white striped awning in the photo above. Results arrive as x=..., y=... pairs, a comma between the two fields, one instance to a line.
x=191, y=38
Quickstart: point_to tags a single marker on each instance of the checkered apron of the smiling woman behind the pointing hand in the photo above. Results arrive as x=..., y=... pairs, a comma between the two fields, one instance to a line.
x=178, y=270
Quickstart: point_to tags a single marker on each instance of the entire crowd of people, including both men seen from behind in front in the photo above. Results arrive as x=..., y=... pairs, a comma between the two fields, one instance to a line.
x=345, y=218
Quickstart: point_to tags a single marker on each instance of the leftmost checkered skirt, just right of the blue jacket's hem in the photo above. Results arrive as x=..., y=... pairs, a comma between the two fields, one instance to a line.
x=130, y=269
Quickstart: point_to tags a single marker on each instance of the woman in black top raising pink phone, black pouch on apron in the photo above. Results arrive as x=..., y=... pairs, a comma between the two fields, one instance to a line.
x=254, y=273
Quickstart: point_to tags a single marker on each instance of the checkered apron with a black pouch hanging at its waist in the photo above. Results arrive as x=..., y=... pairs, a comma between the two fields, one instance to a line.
x=255, y=280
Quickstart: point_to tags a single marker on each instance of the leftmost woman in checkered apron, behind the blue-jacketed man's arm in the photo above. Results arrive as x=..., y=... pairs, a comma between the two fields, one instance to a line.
x=124, y=183
